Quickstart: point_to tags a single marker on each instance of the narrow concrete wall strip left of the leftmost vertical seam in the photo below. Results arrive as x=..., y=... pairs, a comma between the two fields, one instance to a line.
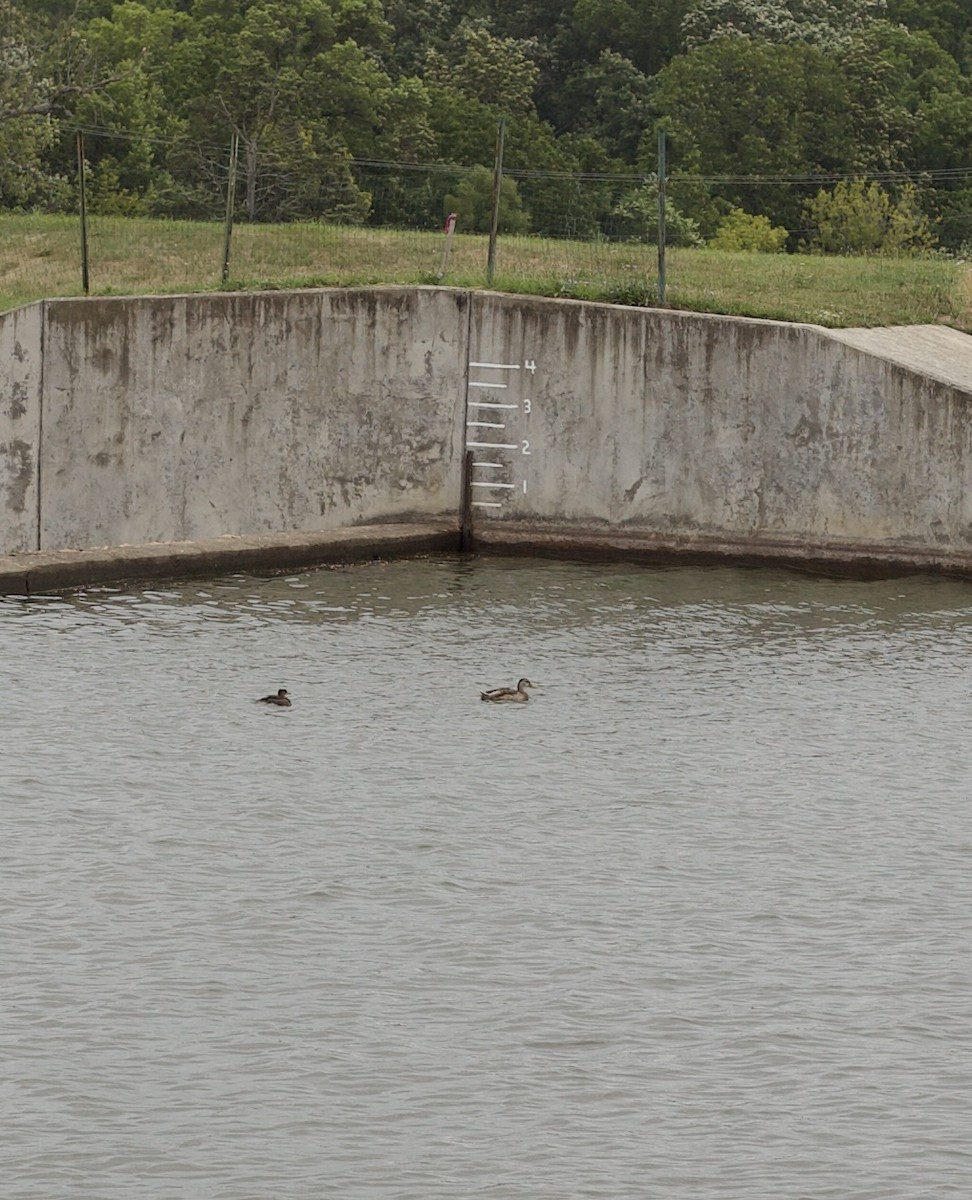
x=21, y=382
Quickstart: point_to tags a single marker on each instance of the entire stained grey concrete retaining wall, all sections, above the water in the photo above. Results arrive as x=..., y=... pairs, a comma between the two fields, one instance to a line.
x=185, y=418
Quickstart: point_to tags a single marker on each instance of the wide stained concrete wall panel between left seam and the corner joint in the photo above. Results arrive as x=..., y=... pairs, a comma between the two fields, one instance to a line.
x=185, y=418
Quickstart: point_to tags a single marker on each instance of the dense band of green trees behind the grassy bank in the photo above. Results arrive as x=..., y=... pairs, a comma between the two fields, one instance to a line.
x=337, y=101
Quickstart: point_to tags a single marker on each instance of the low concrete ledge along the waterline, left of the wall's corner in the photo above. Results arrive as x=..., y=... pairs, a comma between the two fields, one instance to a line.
x=62, y=571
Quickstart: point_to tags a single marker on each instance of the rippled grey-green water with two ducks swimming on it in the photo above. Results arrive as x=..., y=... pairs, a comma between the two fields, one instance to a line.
x=694, y=923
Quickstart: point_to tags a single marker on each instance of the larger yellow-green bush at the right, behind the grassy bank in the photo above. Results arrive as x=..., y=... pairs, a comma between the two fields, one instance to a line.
x=862, y=219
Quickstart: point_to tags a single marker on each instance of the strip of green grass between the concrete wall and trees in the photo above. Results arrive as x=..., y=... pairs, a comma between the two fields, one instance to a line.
x=40, y=257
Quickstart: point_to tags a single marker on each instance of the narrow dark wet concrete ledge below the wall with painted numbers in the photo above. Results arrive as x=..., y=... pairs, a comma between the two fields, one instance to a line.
x=611, y=545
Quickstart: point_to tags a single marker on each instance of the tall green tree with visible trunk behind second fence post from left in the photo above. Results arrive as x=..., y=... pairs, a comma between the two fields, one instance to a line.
x=302, y=94
